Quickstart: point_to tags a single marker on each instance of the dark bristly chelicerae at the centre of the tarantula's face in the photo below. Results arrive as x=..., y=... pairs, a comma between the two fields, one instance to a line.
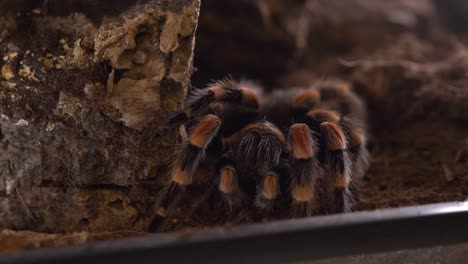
x=260, y=146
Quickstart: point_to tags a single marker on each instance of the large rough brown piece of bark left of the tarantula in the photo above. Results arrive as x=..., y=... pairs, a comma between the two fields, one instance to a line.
x=82, y=92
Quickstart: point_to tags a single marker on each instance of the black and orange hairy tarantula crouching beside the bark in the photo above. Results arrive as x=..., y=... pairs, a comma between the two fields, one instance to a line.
x=303, y=149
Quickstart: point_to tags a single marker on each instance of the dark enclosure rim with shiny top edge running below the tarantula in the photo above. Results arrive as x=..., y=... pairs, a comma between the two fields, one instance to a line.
x=278, y=241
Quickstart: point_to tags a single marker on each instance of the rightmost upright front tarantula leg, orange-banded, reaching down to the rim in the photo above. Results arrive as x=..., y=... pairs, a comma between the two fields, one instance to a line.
x=338, y=162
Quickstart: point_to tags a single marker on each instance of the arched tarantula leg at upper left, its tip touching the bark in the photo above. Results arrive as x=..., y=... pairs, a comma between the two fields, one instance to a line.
x=220, y=91
